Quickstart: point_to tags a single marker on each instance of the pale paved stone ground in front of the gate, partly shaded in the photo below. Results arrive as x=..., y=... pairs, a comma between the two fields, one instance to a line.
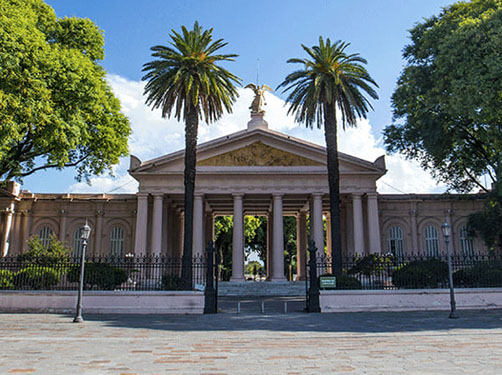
x=253, y=343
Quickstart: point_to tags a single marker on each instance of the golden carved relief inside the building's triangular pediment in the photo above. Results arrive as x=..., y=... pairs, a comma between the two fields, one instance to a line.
x=258, y=154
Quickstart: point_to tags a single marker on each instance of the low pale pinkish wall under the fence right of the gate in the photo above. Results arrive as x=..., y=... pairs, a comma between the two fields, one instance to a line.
x=408, y=300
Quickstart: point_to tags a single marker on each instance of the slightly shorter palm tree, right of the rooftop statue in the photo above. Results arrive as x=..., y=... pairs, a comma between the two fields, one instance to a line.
x=330, y=80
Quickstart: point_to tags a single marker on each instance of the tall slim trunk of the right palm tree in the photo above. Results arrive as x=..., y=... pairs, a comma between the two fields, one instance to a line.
x=334, y=186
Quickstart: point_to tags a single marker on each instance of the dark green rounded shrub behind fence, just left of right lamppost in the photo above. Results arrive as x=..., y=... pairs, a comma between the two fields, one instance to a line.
x=431, y=273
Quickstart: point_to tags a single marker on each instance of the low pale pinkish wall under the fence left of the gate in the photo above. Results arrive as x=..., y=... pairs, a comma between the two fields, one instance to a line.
x=103, y=302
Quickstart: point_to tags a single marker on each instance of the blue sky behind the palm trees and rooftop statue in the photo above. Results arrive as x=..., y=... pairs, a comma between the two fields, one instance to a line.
x=264, y=33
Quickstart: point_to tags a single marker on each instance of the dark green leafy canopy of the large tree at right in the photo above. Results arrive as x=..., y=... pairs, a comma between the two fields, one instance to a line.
x=448, y=100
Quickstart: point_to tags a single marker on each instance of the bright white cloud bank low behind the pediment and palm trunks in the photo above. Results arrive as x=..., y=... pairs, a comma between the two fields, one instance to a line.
x=153, y=136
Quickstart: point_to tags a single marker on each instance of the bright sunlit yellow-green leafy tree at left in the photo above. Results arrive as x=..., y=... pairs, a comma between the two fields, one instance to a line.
x=56, y=109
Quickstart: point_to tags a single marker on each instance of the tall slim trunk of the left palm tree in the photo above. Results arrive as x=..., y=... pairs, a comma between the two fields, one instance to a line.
x=191, y=130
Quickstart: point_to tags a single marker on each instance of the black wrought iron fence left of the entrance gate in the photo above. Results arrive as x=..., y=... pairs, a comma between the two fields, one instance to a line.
x=101, y=273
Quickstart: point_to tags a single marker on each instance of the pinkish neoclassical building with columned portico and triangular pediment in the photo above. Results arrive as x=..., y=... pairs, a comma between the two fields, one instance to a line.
x=256, y=171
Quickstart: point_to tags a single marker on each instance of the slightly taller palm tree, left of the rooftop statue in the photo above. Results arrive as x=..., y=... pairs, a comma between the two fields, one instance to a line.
x=184, y=78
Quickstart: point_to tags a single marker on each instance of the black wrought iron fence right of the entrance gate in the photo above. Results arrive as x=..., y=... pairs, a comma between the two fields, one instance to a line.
x=415, y=271
